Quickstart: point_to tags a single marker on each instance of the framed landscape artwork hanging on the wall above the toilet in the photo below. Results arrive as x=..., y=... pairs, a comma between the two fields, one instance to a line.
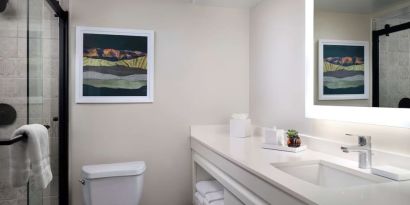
x=114, y=65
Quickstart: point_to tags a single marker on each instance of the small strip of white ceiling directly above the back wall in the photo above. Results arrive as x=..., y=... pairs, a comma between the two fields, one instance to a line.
x=228, y=3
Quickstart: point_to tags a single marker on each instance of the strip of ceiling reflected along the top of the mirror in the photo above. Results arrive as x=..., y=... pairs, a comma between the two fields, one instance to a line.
x=355, y=6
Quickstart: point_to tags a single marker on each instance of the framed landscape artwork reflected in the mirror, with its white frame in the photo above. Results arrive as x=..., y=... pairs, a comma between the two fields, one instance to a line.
x=343, y=70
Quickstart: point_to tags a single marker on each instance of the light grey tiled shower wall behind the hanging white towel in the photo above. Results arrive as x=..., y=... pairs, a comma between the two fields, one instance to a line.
x=43, y=80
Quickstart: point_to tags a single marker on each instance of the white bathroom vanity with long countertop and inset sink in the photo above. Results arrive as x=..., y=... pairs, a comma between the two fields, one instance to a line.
x=252, y=175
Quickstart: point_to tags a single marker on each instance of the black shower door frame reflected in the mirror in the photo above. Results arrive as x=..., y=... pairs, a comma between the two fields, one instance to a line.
x=375, y=75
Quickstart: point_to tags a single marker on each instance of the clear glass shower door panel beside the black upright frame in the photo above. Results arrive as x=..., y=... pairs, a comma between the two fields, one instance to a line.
x=43, y=67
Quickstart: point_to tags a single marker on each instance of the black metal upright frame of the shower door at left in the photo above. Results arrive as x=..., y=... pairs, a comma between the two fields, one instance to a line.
x=62, y=99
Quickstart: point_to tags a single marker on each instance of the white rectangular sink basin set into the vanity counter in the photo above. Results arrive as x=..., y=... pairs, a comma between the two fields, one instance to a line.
x=326, y=174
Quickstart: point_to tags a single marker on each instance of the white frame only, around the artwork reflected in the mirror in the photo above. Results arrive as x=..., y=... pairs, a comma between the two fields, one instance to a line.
x=321, y=77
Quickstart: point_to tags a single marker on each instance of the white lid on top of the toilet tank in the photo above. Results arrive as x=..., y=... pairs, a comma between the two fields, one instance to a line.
x=113, y=170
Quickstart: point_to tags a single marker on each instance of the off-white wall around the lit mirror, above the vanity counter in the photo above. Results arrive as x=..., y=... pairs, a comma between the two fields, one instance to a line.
x=277, y=79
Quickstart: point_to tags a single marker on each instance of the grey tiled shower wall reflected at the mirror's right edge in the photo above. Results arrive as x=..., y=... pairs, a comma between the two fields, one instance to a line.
x=394, y=65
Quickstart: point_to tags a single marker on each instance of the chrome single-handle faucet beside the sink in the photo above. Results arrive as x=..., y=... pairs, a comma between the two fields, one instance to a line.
x=365, y=151
